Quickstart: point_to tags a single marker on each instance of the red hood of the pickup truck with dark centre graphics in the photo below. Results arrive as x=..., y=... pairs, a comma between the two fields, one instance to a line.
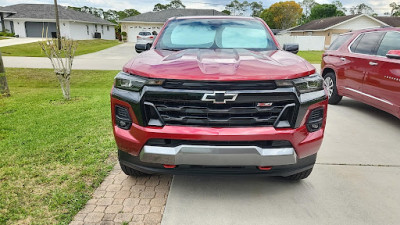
x=219, y=64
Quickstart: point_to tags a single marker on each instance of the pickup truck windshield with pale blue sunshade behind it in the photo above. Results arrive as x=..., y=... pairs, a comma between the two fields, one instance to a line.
x=216, y=34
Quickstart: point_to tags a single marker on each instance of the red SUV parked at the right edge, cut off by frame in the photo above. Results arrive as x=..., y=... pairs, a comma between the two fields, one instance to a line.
x=365, y=65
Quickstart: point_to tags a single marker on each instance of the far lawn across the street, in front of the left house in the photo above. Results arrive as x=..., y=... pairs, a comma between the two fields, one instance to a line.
x=33, y=49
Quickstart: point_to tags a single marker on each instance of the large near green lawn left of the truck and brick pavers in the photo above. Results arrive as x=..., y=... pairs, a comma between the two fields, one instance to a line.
x=54, y=153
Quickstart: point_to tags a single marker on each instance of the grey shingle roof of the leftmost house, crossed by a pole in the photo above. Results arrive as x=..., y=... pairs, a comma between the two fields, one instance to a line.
x=46, y=11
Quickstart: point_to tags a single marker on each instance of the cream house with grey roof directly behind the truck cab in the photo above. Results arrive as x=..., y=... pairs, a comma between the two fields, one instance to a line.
x=153, y=21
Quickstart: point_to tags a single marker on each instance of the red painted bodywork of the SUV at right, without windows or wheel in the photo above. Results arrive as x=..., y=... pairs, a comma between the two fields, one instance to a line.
x=372, y=79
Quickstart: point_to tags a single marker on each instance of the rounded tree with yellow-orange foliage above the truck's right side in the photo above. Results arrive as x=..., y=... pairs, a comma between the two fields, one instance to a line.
x=282, y=15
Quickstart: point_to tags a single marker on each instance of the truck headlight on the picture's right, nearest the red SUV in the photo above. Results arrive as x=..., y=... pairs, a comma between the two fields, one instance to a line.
x=304, y=84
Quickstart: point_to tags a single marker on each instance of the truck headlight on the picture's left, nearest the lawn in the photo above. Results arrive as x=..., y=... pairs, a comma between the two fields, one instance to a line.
x=134, y=83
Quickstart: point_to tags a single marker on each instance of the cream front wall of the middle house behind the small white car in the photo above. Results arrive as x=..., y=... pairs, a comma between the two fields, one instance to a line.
x=133, y=28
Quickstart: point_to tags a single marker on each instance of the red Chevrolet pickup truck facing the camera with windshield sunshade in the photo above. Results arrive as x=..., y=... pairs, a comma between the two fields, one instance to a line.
x=218, y=95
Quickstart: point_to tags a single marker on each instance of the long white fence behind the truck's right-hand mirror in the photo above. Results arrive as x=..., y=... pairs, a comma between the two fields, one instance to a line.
x=306, y=43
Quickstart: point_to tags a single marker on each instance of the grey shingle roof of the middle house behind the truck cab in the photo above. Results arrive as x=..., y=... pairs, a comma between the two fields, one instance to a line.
x=164, y=15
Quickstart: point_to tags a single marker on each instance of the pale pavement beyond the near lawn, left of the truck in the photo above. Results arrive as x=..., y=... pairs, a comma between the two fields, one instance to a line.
x=113, y=58
